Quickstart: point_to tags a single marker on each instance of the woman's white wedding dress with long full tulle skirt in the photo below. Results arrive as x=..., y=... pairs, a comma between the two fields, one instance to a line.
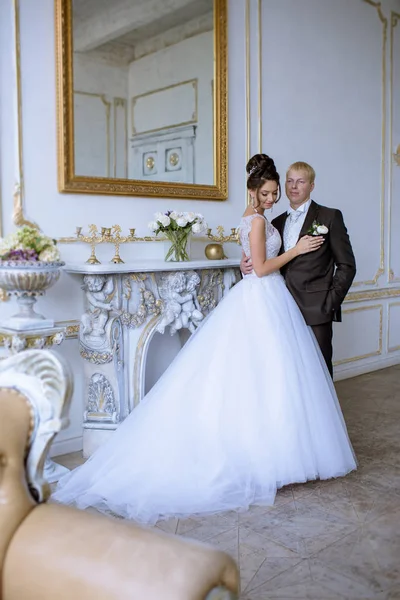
x=247, y=407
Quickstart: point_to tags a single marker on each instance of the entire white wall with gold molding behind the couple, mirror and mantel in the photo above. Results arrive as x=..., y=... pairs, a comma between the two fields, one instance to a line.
x=321, y=86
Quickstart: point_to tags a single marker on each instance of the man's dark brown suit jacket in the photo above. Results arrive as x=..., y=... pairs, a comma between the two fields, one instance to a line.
x=320, y=280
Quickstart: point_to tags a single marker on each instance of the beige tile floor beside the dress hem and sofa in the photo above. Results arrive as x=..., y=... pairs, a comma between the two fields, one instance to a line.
x=327, y=540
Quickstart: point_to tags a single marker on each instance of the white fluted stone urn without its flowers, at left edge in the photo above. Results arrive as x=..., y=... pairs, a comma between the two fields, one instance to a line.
x=27, y=280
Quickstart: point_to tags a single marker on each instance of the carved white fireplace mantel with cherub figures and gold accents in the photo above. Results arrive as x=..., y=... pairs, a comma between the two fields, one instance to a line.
x=125, y=305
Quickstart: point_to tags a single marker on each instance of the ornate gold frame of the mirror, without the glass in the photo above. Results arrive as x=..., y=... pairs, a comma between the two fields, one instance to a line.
x=70, y=183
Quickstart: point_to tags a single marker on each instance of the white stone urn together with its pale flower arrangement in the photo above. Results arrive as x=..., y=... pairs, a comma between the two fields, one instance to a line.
x=29, y=265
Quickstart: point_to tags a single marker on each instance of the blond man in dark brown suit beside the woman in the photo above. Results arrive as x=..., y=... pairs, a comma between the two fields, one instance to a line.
x=320, y=280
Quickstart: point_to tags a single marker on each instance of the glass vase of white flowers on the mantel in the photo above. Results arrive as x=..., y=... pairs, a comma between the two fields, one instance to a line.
x=177, y=227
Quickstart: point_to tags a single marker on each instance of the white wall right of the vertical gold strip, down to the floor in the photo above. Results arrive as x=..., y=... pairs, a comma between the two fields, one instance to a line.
x=325, y=97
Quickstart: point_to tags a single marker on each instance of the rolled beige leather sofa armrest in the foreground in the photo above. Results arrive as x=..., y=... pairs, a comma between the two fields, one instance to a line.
x=68, y=553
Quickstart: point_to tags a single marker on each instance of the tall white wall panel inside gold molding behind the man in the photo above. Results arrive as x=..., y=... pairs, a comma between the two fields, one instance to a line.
x=325, y=107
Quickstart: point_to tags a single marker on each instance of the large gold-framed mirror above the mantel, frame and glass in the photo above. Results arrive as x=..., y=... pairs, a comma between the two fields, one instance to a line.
x=142, y=98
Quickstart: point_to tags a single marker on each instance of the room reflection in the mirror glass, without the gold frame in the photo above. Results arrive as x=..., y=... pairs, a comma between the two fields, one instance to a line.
x=143, y=89
